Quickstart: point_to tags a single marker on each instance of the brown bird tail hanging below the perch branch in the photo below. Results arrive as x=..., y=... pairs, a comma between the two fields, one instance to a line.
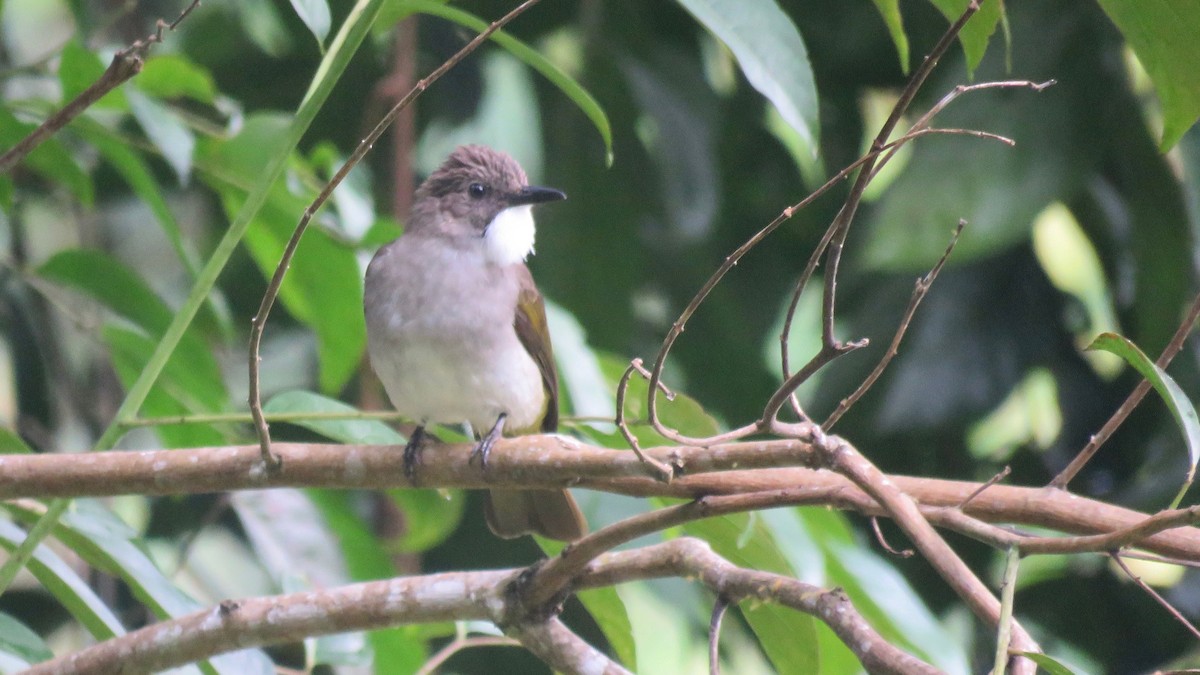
x=549, y=513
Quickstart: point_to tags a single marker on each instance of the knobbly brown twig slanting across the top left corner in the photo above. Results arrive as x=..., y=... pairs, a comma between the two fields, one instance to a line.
x=125, y=64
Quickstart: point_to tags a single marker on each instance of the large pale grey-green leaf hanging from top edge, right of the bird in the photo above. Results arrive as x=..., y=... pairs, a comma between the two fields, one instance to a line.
x=772, y=55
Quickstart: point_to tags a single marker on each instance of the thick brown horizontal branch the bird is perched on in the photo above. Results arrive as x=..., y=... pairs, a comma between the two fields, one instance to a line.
x=763, y=471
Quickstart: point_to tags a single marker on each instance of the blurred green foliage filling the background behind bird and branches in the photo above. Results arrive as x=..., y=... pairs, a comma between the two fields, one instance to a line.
x=679, y=130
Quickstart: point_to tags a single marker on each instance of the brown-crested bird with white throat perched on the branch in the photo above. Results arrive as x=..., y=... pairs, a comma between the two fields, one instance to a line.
x=457, y=327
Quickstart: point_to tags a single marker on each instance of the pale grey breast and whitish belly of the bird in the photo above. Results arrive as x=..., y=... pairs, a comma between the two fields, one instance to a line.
x=445, y=345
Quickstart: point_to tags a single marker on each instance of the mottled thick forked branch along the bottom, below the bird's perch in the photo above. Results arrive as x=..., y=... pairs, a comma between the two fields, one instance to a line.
x=265, y=622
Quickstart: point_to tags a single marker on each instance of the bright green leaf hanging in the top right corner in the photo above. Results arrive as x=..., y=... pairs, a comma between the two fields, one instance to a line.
x=1163, y=34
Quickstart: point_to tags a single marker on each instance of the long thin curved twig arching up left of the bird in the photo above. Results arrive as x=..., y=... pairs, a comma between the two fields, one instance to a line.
x=273, y=289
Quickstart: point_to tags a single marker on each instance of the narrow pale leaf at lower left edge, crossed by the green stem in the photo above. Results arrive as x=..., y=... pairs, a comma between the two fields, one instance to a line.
x=68, y=588
